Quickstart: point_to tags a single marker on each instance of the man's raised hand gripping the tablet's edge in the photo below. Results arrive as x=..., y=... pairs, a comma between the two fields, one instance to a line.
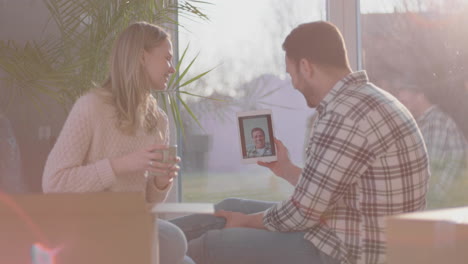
x=283, y=167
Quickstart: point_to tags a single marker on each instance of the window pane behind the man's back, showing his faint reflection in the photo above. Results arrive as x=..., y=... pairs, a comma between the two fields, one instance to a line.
x=418, y=51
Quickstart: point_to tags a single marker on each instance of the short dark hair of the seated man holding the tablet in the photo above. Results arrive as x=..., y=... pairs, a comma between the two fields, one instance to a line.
x=320, y=42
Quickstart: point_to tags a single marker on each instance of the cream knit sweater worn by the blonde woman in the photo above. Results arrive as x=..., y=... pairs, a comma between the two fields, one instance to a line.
x=79, y=160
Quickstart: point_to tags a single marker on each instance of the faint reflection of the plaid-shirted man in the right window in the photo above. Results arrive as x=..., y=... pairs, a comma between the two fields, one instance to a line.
x=445, y=143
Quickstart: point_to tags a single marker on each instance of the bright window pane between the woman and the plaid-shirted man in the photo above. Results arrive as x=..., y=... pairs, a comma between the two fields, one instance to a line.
x=242, y=41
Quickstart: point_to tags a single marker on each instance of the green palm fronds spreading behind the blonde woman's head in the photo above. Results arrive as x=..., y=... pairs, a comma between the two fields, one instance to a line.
x=65, y=67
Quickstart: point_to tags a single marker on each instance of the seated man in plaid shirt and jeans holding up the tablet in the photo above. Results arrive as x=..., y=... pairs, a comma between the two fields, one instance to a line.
x=365, y=160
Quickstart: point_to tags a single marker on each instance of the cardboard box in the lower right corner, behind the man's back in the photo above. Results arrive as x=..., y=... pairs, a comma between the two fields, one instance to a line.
x=429, y=237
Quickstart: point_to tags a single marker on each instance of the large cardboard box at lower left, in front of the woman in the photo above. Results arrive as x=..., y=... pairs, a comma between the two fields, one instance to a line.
x=86, y=228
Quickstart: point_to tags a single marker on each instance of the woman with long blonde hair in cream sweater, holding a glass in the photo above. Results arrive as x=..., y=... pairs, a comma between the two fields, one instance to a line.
x=111, y=138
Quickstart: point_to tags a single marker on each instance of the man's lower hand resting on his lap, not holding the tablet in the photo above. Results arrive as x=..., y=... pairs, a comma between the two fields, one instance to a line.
x=235, y=219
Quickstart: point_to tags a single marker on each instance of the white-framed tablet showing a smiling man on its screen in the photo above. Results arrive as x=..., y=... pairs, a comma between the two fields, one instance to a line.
x=256, y=136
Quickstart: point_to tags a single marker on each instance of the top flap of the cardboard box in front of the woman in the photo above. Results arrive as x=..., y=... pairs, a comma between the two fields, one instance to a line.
x=74, y=203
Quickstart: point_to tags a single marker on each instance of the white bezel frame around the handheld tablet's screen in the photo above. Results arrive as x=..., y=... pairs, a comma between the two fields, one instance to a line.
x=264, y=113
